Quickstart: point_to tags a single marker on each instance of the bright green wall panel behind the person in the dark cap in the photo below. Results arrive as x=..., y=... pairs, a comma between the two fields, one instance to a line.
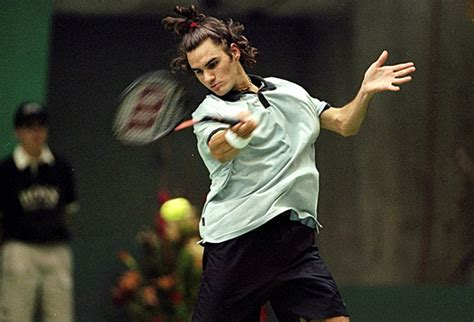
x=24, y=50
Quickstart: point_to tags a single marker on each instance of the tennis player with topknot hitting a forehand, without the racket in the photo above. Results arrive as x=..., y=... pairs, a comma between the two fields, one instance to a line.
x=257, y=225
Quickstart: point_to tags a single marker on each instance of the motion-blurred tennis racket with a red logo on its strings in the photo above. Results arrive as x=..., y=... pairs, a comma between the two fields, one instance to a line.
x=152, y=107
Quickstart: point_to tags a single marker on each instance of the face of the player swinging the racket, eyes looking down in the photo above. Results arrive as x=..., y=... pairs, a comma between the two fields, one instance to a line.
x=215, y=68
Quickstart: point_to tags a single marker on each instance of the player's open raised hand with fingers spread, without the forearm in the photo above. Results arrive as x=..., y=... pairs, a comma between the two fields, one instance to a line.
x=379, y=78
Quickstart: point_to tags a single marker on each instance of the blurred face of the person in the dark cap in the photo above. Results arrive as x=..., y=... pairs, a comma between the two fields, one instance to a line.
x=32, y=138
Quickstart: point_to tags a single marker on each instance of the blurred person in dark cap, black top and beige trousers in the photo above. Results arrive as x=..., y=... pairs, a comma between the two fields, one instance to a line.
x=37, y=197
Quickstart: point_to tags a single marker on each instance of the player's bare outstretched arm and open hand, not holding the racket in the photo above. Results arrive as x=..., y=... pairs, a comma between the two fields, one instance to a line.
x=378, y=78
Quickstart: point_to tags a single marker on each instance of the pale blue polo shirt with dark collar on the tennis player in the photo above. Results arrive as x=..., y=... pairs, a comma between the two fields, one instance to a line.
x=276, y=172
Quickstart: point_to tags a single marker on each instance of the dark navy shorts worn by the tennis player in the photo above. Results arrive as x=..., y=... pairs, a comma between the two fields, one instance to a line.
x=277, y=262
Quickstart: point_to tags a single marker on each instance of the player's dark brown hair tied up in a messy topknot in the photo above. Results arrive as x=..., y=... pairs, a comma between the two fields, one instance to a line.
x=193, y=28
